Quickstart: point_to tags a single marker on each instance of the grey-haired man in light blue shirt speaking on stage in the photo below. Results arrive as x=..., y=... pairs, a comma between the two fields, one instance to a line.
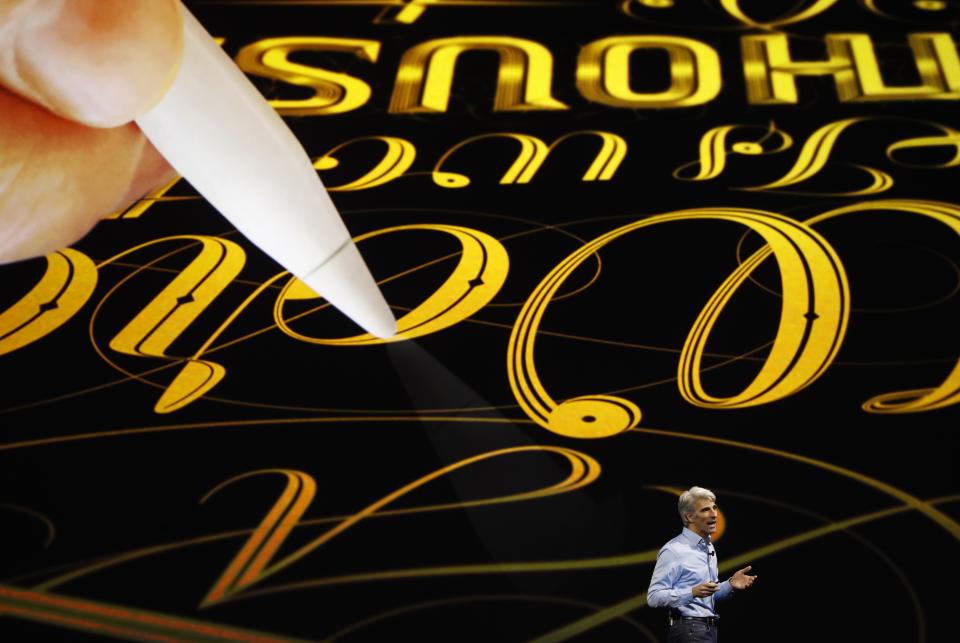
x=685, y=579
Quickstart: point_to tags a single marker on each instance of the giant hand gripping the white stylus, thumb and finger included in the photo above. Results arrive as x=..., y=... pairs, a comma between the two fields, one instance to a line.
x=73, y=75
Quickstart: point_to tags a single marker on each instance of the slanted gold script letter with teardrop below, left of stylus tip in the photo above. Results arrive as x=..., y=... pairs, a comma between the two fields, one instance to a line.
x=171, y=312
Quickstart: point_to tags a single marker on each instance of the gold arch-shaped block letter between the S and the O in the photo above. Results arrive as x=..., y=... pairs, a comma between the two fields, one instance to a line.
x=426, y=71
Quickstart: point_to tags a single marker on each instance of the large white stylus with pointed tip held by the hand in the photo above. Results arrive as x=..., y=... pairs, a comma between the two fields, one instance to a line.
x=219, y=133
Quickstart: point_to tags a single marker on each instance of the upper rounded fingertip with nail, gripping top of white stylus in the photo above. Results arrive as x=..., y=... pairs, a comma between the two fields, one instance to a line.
x=99, y=62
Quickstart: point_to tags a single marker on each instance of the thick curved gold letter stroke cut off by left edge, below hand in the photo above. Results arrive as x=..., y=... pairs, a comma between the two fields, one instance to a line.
x=66, y=285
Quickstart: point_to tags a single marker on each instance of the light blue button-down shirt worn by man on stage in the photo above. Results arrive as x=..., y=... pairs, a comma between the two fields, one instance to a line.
x=683, y=563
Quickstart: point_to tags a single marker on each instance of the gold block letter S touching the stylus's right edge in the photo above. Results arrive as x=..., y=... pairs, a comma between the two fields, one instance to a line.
x=333, y=92
